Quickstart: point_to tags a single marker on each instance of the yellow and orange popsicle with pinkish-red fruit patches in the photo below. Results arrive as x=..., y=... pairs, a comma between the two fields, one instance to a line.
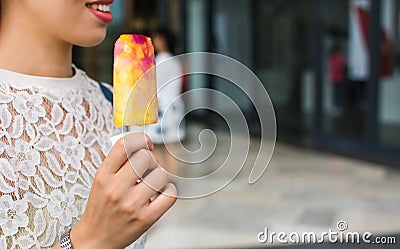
x=135, y=85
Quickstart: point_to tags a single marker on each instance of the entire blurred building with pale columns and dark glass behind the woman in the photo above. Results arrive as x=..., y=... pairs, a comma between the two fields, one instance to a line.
x=288, y=45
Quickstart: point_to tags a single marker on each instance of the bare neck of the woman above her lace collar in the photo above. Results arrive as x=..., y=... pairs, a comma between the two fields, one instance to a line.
x=30, y=52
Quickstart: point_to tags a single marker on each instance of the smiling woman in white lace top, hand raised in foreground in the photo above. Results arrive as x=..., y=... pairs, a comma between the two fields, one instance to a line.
x=59, y=175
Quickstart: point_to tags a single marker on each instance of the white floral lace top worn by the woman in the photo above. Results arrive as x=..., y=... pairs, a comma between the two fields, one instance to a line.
x=54, y=134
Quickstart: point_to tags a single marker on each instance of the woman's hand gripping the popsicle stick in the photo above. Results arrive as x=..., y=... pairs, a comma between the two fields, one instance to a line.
x=119, y=209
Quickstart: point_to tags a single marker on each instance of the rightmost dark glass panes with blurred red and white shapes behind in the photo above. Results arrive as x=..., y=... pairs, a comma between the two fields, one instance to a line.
x=346, y=101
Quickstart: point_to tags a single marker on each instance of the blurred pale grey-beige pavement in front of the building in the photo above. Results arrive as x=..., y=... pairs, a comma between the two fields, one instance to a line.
x=302, y=191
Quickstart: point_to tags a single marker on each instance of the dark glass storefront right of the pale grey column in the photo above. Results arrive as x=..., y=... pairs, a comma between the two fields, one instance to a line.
x=330, y=68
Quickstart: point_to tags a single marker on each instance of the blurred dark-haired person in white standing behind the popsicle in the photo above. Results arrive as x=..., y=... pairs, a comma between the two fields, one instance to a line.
x=170, y=129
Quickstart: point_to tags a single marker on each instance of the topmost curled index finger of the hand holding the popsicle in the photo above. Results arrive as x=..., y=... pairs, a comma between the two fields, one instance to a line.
x=124, y=148
